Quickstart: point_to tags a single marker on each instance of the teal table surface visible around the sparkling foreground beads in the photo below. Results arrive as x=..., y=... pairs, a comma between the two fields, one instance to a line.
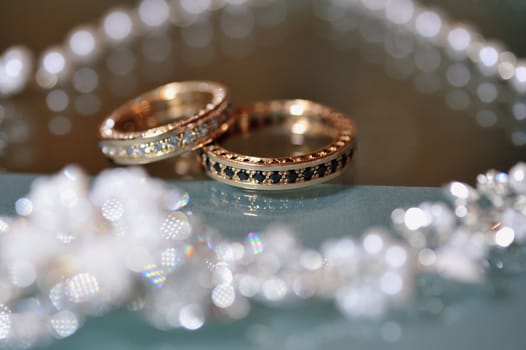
x=489, y=316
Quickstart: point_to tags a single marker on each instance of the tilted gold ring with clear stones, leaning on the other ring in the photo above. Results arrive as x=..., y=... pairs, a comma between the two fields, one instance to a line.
x=166, y=122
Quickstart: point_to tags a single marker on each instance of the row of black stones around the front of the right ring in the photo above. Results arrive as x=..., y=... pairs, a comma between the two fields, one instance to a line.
x=277, y=177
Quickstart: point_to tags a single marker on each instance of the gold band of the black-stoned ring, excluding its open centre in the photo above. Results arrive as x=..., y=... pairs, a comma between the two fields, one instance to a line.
x=301, y=117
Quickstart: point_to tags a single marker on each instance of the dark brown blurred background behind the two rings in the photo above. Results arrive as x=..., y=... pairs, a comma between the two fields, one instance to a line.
x=416, y=127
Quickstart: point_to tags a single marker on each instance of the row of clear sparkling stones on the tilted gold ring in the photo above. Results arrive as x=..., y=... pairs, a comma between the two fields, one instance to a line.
x=166, y=145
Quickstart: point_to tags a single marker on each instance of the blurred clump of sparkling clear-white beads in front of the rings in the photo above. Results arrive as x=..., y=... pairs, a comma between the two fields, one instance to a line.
x=76, y=251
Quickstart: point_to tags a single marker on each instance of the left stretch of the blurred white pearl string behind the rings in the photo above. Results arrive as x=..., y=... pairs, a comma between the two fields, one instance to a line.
x=19, y=68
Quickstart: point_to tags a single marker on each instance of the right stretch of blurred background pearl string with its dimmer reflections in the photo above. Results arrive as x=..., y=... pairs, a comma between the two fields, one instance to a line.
x=477, y=75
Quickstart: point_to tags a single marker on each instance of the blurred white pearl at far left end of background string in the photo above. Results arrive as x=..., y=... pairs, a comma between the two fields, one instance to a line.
x=16, y=66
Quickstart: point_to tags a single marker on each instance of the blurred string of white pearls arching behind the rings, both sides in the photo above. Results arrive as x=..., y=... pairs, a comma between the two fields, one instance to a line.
x=84, y=44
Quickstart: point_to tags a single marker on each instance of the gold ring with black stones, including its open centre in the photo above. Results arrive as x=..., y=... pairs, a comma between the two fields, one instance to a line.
x=292, y=124
